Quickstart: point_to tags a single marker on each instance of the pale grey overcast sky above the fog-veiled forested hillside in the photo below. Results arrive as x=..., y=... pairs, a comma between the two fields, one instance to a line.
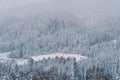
x=84, y=7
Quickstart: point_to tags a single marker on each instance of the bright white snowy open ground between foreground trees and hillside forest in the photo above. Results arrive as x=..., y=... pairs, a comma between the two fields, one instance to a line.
x=4, y=57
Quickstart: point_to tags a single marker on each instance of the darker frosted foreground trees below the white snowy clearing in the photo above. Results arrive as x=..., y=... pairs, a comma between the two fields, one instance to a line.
x=60, y=69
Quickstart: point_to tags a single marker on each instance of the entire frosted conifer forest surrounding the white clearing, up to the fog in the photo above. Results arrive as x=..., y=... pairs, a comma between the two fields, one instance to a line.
x=98, y=39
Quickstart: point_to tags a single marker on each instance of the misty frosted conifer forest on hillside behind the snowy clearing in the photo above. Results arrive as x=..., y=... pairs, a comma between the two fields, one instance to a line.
x=38, y=35
